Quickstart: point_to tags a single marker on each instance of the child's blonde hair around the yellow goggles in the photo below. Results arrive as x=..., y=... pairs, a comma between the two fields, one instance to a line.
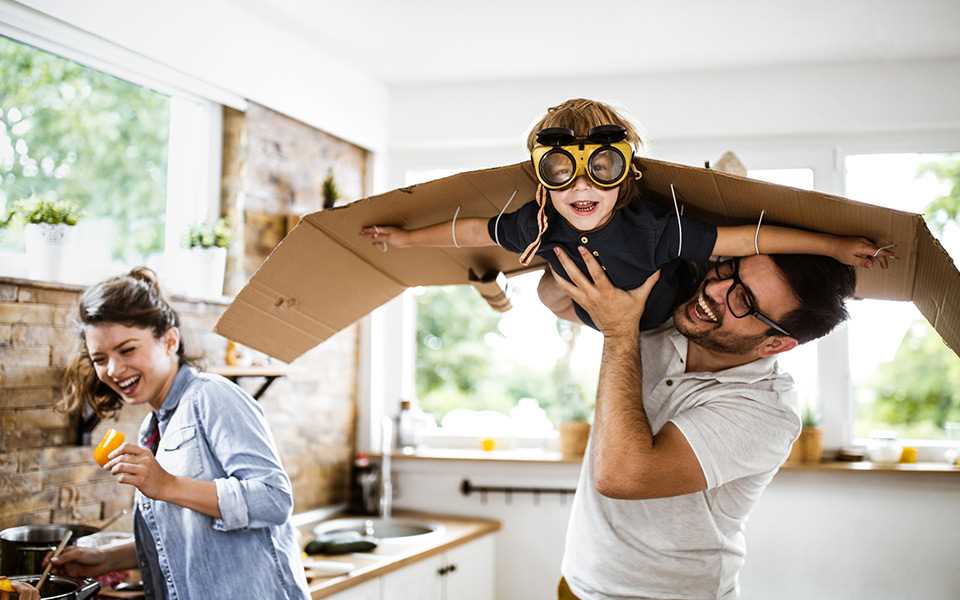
x=581, y=115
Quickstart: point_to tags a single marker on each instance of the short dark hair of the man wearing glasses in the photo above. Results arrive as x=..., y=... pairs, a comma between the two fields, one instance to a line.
x=821, y=284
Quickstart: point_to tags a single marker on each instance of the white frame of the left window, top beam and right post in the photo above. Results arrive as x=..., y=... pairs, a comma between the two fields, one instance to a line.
x=196, y=117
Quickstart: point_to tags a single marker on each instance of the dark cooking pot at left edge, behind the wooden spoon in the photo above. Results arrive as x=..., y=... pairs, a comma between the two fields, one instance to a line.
x=23, y=548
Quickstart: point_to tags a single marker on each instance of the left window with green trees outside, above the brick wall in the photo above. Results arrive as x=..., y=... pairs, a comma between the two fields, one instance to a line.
x=115, y=149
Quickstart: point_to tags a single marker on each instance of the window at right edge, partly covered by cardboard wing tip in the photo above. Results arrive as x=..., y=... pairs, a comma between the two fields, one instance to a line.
x=904, y=378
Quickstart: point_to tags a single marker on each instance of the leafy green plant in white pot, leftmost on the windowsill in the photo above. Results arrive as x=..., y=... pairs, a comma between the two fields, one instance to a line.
x=47, y=222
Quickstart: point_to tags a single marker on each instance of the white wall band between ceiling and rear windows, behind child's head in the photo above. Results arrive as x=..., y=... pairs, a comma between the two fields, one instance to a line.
x=484, y=123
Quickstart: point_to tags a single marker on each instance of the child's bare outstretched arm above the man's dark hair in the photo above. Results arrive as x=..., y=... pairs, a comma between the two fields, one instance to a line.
x=854, y=251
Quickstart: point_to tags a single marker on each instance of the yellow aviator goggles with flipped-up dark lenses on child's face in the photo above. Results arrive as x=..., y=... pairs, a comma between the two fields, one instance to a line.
x=603, y=155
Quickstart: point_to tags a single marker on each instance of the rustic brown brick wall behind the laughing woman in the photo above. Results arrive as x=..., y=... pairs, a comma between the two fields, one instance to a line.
x=273, y=172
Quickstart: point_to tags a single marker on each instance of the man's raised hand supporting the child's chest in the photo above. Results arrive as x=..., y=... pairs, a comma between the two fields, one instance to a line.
x=614, y=311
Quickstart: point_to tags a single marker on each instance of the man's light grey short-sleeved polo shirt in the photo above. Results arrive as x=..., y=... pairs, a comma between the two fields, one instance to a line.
x=740, y=423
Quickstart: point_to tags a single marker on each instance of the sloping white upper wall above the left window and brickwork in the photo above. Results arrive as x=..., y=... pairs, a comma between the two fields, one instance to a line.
x=219, y=43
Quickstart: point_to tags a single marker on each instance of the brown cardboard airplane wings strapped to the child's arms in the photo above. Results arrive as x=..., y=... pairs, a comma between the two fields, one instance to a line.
x=323, y=276
